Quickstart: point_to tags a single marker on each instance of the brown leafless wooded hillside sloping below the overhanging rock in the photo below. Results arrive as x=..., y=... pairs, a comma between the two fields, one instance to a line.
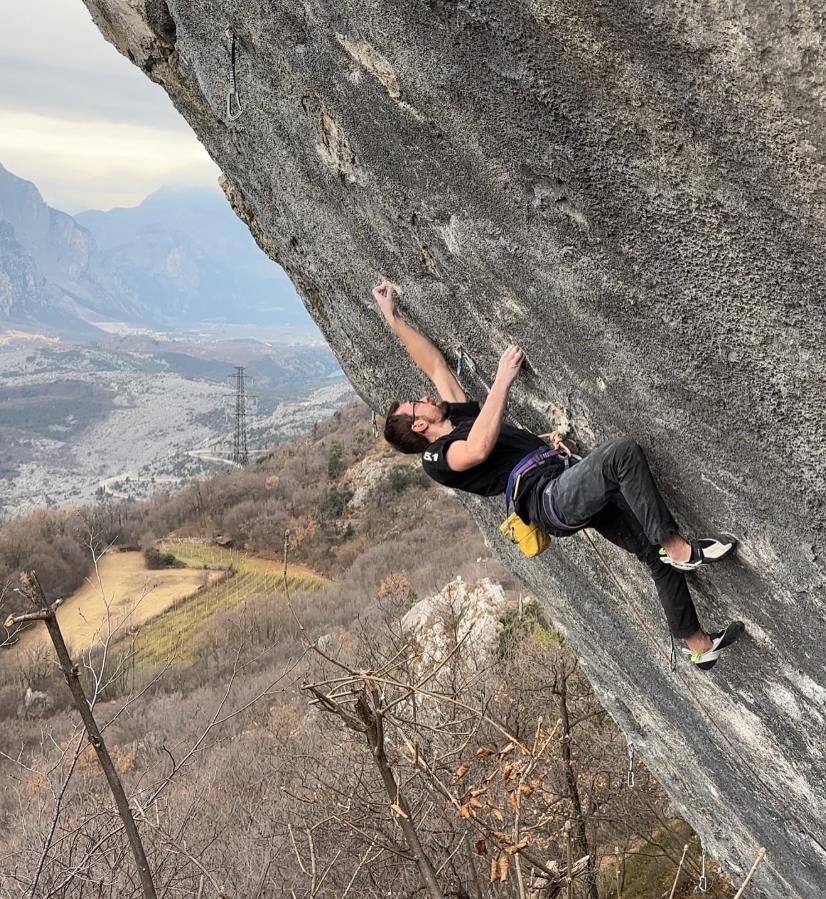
x=258, y=747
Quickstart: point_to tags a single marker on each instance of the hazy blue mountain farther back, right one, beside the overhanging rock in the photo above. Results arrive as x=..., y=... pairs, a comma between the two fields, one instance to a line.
x=187, y=257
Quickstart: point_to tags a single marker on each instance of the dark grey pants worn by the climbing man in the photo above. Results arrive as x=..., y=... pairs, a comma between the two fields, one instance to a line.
x=612, y=490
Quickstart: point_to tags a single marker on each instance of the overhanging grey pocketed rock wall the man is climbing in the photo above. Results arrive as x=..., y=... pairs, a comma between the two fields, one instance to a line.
x=635, y=193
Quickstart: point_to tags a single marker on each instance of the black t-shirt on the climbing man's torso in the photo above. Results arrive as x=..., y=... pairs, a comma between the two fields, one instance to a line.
x=490, y=477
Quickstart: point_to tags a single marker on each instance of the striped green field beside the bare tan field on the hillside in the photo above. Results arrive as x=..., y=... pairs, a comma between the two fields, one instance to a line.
x=173, y=635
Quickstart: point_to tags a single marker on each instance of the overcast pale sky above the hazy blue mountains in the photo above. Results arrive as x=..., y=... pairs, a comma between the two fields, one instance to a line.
x=78, y=119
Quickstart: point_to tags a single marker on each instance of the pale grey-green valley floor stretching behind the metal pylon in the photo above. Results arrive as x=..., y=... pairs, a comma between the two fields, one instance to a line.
x=82, y=423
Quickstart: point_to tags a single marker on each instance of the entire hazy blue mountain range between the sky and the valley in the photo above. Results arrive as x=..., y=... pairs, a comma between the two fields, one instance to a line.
x=180, y=257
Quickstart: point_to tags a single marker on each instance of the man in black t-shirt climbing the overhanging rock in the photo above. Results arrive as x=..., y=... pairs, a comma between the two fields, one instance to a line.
x=611, y=490
